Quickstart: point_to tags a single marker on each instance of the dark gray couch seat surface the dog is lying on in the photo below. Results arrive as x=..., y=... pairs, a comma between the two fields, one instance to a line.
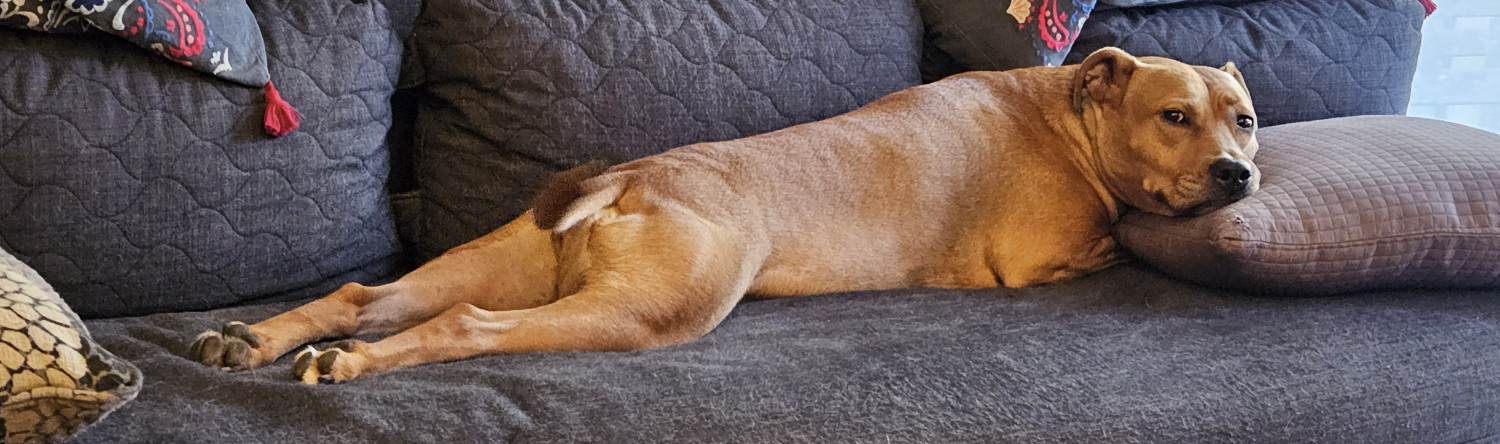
x=1124, y=356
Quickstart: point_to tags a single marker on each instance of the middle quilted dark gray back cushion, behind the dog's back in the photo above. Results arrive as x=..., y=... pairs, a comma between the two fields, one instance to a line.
x=521, y=89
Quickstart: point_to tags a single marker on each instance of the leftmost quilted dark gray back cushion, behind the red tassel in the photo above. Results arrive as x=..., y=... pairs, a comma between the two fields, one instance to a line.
x=140, y=187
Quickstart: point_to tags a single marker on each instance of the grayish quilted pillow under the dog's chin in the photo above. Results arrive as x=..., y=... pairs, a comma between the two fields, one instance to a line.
x=1346, y=205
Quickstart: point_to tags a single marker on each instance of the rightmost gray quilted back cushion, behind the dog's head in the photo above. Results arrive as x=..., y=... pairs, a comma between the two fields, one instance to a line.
x=1303, y=59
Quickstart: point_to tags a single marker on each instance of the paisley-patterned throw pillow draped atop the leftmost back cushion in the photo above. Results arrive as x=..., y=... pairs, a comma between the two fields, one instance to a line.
x=215, y=37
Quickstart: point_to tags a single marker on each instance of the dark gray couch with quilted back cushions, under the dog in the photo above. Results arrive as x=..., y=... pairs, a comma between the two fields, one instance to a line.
x=148, y=197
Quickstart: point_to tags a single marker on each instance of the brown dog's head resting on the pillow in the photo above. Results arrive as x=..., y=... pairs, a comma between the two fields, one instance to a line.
x=1171, y=139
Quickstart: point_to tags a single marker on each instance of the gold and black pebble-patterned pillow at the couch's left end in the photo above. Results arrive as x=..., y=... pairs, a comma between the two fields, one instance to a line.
x=55, y=380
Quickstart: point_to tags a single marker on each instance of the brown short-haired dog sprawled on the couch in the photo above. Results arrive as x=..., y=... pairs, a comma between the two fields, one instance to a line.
x=979, y=181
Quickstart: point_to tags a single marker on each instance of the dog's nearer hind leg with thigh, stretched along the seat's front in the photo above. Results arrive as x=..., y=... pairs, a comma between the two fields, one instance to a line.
x=650, y=283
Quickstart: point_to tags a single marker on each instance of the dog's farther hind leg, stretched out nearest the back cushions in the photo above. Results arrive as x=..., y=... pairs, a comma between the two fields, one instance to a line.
x=512, y=268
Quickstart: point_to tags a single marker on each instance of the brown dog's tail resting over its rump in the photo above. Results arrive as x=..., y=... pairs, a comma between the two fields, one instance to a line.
x=571, y=197
